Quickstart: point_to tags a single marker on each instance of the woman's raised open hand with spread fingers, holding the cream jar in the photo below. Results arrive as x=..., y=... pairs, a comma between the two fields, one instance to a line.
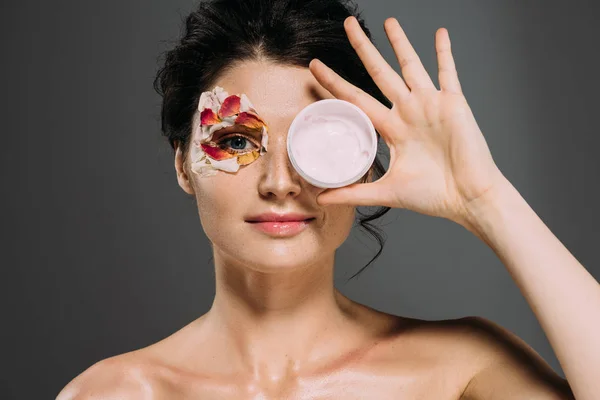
x=439, y=159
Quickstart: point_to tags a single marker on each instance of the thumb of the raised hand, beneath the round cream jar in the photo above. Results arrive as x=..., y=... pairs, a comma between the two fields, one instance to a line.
x=358, y=194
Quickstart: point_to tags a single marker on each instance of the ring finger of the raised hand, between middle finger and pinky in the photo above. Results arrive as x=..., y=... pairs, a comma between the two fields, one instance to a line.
x=415, y=75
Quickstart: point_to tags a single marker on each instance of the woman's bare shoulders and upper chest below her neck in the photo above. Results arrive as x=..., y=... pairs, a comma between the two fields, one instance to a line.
x=372, y=355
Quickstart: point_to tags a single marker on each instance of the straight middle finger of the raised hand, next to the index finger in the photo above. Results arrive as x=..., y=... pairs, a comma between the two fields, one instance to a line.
x=384, y=76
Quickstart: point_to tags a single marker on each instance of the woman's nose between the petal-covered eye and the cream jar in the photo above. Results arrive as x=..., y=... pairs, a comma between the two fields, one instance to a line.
x=279, y=179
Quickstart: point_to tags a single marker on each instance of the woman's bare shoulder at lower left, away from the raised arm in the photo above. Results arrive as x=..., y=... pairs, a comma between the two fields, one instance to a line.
x=126, y=376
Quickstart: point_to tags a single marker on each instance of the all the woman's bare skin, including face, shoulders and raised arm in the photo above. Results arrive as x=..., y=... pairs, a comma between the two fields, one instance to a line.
x=278, y=329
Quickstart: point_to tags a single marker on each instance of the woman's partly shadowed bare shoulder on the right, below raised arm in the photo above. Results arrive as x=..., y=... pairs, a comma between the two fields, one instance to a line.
x=473, y=358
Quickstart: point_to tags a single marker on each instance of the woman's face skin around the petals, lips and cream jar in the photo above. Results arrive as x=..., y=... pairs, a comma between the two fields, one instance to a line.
x=227, y=201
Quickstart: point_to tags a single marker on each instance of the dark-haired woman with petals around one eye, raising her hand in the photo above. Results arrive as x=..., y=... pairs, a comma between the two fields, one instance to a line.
x=278, y=329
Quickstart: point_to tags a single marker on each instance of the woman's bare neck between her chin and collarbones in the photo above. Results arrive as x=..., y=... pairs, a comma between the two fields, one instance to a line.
x=276, y=323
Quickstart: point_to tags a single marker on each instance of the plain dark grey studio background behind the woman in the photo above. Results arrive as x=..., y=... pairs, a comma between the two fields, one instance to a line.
x=102, y=253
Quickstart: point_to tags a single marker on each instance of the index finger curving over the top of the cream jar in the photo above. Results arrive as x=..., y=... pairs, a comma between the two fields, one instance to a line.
x=344, y=90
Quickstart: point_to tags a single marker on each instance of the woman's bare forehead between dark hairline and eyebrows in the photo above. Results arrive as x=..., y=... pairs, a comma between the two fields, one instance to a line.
x=277, y=92
